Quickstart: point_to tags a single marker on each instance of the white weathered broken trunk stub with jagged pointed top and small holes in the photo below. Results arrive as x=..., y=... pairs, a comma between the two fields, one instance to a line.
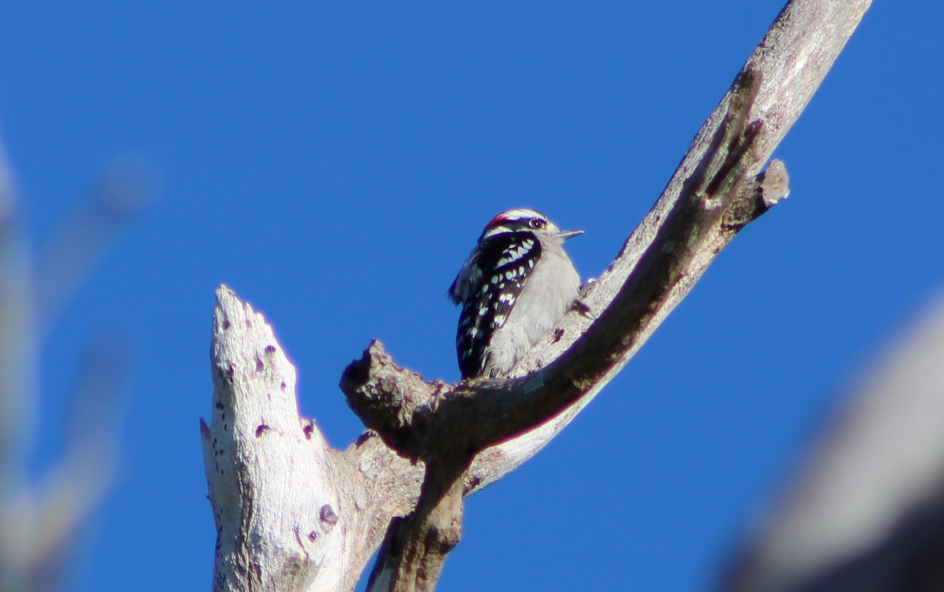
x=272, y=479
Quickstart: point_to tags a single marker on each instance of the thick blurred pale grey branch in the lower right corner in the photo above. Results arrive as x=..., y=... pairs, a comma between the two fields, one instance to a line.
x=865, y=512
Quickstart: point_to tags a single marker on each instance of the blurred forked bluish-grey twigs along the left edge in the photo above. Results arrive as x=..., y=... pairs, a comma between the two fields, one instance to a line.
x=39, y=522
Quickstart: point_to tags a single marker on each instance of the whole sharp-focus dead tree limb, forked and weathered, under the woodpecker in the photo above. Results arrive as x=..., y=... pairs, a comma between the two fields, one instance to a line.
x=457, y=439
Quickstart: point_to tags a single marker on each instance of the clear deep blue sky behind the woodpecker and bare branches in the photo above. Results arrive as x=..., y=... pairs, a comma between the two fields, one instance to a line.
x=335, y=164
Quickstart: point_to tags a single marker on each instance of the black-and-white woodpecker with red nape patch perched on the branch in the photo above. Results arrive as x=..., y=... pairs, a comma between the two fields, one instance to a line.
x=514, y=287
